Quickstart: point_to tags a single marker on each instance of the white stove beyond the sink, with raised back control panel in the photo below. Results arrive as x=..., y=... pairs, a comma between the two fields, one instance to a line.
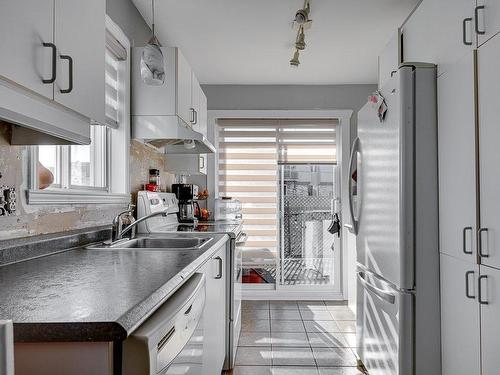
x=149, y=202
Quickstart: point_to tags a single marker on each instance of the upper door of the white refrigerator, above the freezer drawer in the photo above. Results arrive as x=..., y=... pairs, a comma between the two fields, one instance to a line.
x=379, y=172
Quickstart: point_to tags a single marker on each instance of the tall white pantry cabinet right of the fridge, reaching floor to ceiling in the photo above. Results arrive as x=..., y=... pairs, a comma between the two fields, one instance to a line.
x=466, y=48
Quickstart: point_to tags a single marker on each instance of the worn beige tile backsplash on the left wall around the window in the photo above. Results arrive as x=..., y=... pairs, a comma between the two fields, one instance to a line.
x=33, y=220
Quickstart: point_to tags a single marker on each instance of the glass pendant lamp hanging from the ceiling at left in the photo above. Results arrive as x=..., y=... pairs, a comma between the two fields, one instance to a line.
x=152, y=61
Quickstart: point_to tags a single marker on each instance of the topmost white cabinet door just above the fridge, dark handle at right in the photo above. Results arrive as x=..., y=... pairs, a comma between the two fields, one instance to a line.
x=442, y=22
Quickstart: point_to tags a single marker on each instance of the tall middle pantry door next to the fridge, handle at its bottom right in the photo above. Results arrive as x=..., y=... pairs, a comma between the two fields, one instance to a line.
x=457, y=185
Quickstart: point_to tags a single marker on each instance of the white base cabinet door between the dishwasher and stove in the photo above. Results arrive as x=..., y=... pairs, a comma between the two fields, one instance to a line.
x=215, y=313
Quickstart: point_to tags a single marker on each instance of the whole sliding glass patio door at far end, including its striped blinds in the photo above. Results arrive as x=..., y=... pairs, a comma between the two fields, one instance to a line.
x=283, y=172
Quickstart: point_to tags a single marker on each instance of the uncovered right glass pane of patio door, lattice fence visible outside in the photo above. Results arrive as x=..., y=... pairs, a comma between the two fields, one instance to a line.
x=307, y=247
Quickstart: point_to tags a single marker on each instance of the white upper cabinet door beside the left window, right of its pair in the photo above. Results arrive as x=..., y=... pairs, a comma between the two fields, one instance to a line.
x=80, y=35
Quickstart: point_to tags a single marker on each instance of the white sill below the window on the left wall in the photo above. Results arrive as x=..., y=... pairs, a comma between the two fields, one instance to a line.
x=62, y=196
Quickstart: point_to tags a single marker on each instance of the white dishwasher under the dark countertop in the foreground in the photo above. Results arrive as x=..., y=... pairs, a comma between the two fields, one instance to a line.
x=171, y=340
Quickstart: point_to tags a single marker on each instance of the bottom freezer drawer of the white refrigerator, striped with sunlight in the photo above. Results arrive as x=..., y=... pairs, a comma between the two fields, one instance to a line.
x=384, y=326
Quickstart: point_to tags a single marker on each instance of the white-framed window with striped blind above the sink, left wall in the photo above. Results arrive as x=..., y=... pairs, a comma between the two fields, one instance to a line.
x=95, y=173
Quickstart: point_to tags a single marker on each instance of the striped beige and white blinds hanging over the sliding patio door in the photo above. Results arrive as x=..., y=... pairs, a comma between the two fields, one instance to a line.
x=249, y=153
